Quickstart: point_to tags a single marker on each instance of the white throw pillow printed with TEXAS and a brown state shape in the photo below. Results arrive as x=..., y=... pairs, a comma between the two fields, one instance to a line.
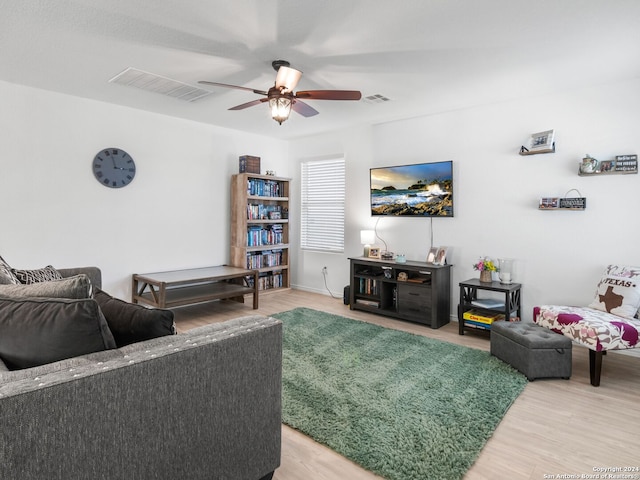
x=618, y=291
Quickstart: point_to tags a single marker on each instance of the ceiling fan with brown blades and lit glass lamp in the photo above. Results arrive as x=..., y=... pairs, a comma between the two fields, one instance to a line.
x=281, y=97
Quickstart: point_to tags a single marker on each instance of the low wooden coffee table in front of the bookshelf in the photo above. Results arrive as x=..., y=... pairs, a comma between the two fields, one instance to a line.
x=186, y=287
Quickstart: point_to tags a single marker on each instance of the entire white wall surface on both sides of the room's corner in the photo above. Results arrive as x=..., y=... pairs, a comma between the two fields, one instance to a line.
x=175, y=214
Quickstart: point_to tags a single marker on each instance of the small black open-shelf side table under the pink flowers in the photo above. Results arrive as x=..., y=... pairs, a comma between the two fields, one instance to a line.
x=469, y=296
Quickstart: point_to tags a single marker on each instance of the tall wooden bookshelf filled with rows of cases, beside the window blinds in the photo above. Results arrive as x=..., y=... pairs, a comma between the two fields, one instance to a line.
x=260, y=228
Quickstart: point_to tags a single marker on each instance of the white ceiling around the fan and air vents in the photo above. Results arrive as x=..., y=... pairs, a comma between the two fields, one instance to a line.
x=426, y=56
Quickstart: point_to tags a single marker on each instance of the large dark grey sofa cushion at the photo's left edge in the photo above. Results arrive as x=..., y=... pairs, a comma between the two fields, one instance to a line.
x=35, y=331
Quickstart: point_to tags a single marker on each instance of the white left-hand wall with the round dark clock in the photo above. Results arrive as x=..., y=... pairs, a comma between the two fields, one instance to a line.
x=175, y=214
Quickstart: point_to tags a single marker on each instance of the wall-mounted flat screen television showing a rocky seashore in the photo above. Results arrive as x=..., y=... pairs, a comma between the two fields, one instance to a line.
x=418, y=190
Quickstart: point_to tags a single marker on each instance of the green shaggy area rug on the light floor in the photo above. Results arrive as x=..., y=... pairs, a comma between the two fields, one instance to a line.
x=400, y=405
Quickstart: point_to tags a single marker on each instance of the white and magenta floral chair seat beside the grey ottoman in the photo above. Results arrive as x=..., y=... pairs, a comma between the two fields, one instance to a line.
x=592, y=328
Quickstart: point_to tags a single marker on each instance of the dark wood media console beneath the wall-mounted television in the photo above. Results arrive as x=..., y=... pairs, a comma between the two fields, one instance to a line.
x=415, y=291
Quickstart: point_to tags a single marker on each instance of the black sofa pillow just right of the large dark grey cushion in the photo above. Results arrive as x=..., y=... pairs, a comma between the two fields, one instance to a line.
x=132, y=323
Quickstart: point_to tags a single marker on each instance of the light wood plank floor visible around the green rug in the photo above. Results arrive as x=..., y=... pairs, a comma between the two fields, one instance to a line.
x=554, y=427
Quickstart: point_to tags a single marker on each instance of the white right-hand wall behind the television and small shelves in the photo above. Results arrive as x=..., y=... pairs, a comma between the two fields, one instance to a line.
x=559, y=254
